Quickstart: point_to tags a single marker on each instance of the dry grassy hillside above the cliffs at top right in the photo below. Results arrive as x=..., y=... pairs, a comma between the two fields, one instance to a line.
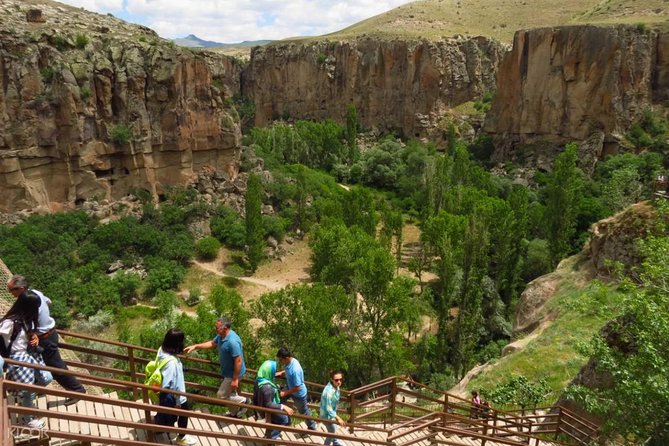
x=500, y=19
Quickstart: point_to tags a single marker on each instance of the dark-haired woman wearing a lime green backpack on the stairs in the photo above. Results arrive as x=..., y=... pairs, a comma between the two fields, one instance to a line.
x=173, y=379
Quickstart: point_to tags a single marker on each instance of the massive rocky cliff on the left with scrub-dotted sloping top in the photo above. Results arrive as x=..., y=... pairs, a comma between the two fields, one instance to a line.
x=91, y=106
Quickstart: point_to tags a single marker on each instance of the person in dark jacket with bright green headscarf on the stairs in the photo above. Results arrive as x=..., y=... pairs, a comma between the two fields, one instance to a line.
x=266, y=394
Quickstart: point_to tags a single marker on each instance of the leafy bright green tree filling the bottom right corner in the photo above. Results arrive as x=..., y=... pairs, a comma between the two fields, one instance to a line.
x=631, y=353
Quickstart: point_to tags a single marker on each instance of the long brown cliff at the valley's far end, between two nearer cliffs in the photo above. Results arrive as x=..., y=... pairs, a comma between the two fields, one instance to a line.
x=403, y=85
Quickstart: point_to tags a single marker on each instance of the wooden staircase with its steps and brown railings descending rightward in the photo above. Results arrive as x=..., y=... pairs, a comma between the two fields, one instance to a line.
x=386, y=413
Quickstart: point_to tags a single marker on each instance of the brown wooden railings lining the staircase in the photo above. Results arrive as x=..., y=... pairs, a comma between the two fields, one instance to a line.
x=394, y=406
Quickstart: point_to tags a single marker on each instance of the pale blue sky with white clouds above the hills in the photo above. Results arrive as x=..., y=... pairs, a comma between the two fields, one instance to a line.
x=231, y=21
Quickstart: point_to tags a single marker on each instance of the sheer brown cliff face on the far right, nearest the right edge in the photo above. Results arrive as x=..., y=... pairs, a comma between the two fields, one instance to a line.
x=566, y=84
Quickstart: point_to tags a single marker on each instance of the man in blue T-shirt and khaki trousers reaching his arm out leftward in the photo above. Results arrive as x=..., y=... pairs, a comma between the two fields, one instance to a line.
x=231, y=357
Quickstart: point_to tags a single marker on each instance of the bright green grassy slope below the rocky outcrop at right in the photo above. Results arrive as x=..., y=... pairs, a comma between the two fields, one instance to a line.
x=581, y=311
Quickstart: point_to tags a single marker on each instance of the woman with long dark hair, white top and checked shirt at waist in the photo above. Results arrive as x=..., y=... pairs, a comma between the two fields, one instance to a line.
x=17, y=331
